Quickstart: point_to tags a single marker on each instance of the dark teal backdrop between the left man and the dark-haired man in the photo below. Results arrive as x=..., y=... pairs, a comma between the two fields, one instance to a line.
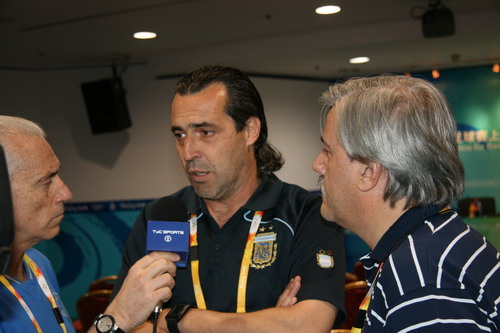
x=90, y=245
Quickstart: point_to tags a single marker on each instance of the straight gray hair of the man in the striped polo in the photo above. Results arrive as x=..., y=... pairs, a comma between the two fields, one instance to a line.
x=404, y=124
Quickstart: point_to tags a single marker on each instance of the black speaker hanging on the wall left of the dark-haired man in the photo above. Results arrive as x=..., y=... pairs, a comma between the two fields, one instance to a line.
x=106, y=105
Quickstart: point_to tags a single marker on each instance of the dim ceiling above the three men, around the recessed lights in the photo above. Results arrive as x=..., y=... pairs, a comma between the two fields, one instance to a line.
x=270, y=37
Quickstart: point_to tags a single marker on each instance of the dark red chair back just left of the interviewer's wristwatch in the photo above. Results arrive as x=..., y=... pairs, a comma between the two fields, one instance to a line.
x=90, y=305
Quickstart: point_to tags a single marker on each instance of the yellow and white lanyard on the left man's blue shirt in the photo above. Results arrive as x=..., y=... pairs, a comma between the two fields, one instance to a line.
x=46, y=290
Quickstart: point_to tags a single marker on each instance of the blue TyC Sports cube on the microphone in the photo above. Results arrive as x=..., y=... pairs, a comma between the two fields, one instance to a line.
x=169, y=237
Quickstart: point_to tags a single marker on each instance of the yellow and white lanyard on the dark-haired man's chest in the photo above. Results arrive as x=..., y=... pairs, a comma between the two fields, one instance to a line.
x=245, y=262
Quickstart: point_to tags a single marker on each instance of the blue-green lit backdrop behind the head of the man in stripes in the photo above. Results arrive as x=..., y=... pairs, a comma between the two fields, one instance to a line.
x=474, y=95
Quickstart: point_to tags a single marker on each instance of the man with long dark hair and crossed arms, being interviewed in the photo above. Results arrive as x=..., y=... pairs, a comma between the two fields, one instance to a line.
x=253, y=233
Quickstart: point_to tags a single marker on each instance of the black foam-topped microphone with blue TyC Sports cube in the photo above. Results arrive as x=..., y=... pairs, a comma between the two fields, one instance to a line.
x=168, y=230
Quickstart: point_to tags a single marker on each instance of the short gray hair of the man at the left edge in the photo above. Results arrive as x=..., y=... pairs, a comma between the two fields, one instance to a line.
x=14, y=126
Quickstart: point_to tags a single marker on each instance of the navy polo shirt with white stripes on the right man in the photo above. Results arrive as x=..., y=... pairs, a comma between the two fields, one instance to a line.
x=439, y=275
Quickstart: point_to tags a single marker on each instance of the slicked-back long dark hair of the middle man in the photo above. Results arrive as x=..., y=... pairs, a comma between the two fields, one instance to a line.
x=243, y=102
